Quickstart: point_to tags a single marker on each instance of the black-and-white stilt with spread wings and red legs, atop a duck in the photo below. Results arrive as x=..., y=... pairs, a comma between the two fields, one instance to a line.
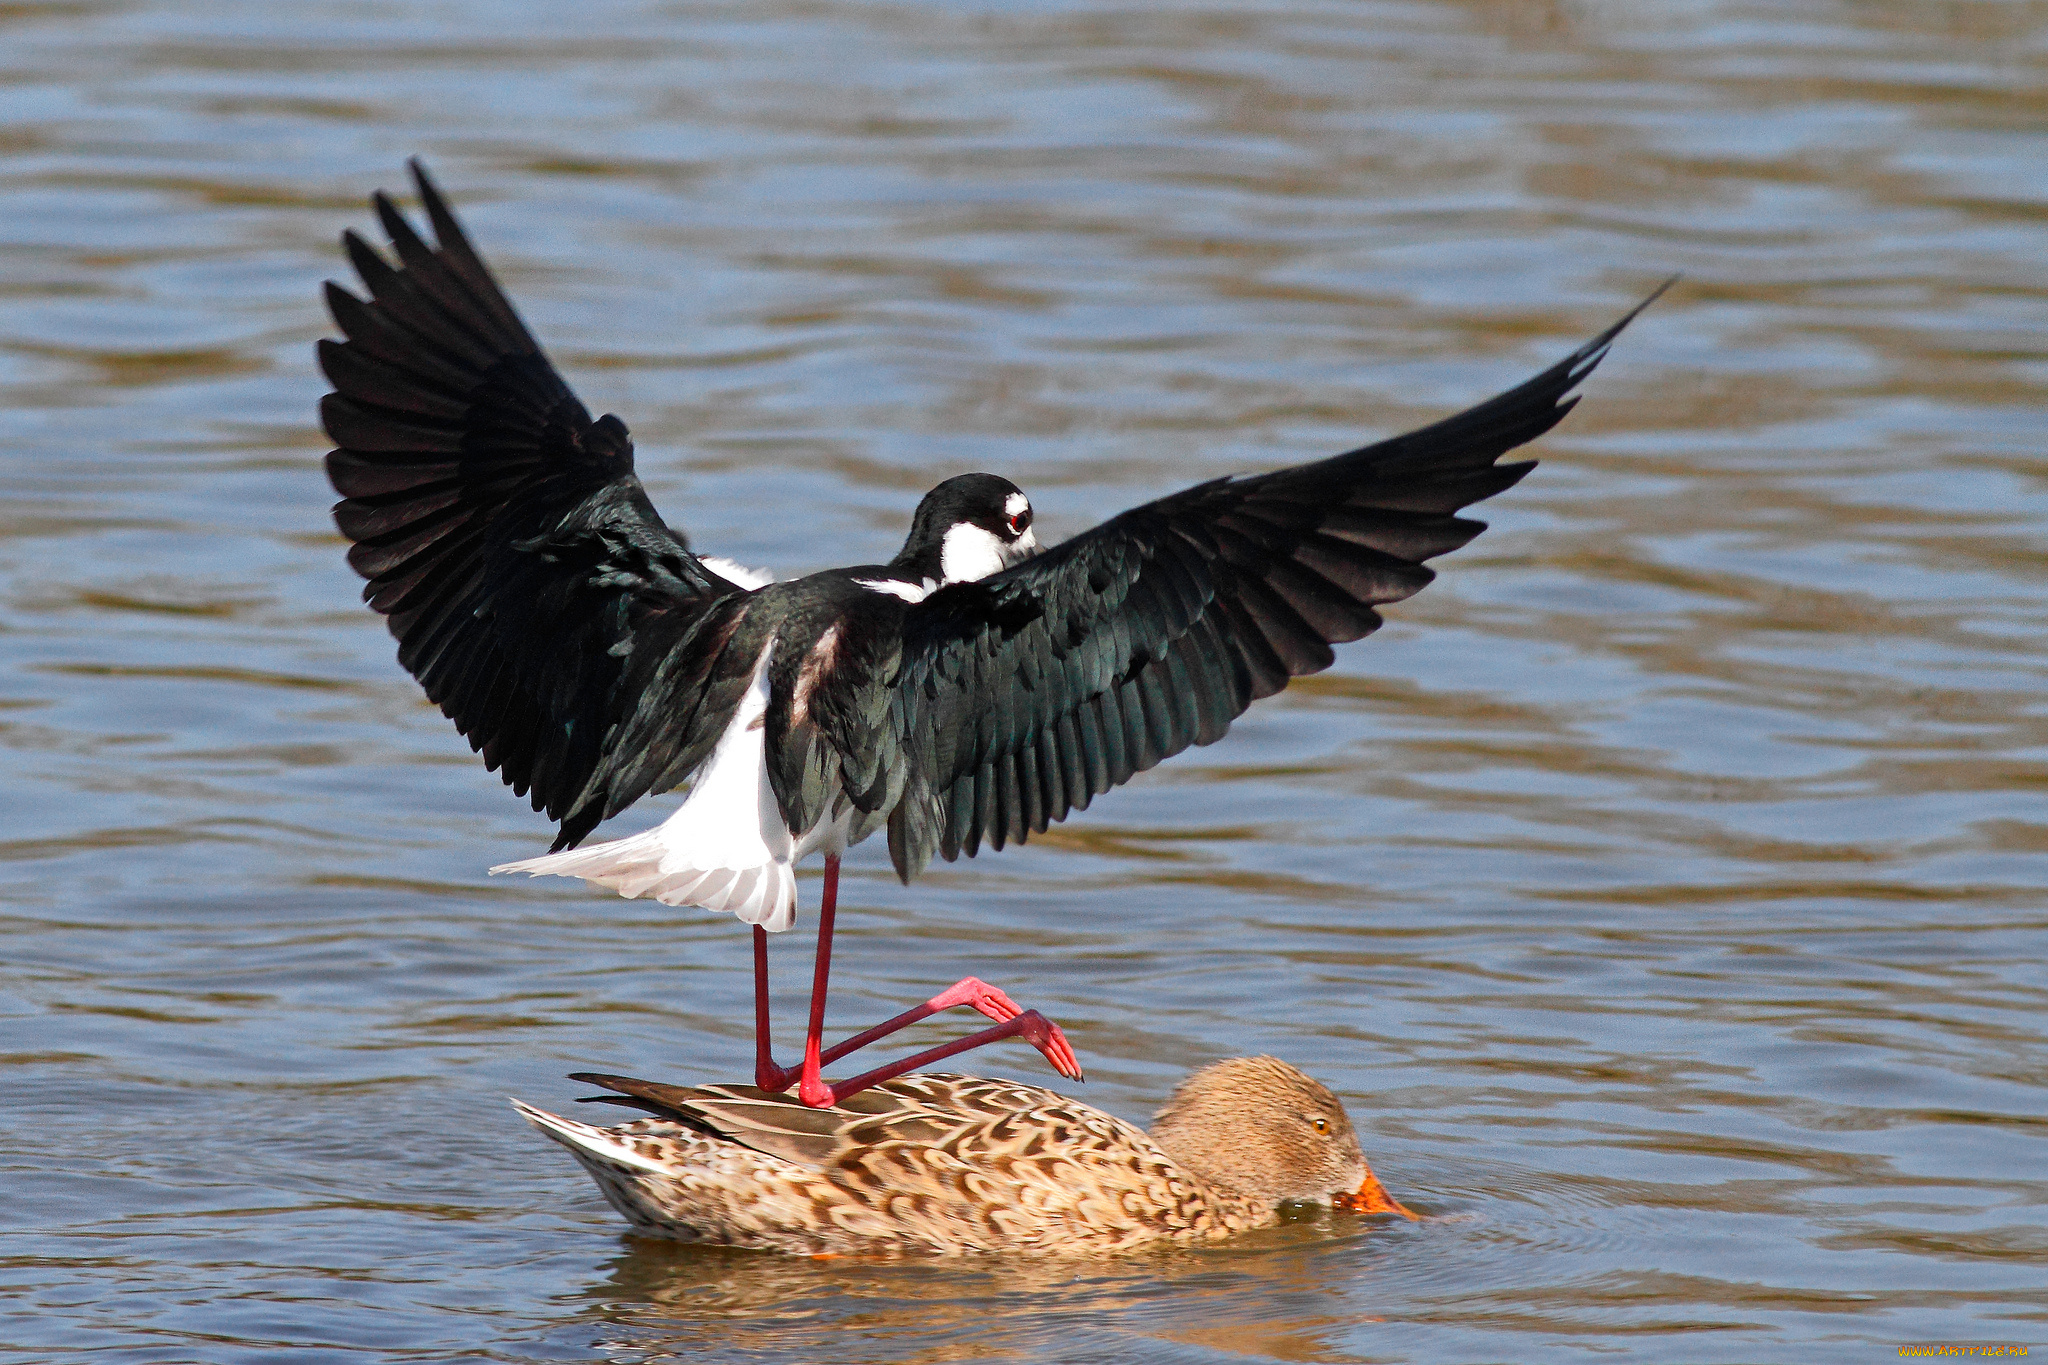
x=972, y=691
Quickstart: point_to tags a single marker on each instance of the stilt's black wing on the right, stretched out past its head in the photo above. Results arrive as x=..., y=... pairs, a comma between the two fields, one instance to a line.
x=1029, y=693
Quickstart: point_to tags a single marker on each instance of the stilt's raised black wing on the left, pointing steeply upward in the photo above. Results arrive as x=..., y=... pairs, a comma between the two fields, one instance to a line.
x=531, y=586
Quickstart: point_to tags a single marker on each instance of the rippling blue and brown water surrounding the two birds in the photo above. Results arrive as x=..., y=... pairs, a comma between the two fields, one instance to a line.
x=1664, y=889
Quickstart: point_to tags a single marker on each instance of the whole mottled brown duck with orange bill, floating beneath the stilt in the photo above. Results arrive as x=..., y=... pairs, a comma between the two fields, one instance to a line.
x=955, y=1165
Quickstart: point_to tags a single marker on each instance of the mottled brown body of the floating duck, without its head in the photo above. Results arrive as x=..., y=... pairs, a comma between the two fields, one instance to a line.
x=916, y=1165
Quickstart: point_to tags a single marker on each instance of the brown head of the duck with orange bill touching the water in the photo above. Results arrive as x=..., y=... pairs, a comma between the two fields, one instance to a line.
x=1265, y=1131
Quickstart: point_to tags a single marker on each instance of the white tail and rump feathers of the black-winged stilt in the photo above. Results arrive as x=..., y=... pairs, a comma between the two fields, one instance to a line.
x=726, y=848
